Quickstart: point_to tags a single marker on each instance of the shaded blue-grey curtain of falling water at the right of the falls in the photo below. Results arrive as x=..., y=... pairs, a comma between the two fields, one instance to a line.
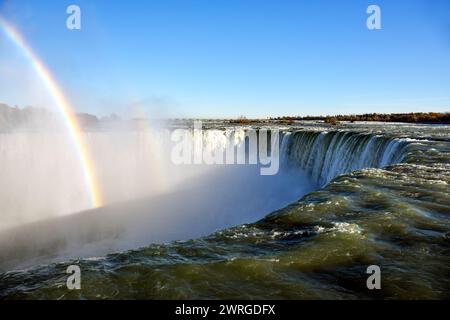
x=325, y=155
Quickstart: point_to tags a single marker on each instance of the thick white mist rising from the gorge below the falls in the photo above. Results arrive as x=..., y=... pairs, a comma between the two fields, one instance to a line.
x=46, y=213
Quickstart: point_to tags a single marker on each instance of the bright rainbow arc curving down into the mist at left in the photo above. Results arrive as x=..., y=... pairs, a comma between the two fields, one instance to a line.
x=64, y=107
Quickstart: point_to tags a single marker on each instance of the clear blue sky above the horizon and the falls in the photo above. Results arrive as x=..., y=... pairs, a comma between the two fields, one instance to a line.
x=225, y=58
